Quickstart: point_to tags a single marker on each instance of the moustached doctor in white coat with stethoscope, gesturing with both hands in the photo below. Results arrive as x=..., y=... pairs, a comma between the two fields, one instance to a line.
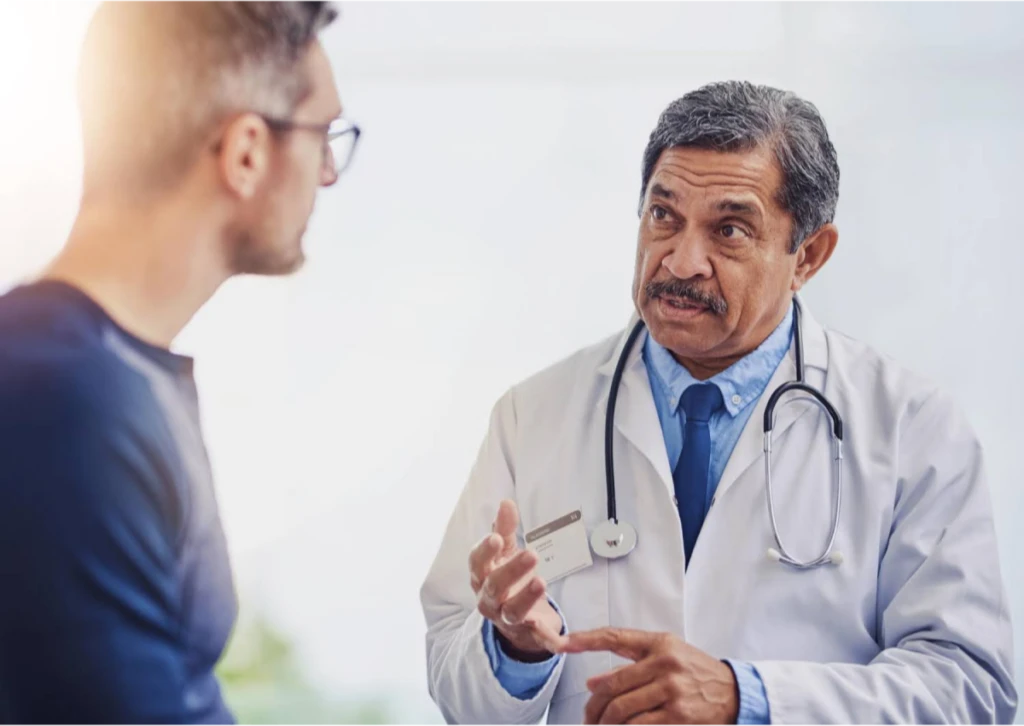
x=905, y=619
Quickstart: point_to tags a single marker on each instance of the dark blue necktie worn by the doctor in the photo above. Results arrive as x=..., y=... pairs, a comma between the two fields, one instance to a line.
x=694, y=471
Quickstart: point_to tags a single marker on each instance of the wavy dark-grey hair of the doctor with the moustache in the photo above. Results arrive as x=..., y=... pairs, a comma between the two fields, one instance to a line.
x=737, y=116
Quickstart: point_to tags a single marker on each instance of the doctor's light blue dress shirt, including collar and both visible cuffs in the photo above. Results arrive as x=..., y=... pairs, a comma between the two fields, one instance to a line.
x=742, y=386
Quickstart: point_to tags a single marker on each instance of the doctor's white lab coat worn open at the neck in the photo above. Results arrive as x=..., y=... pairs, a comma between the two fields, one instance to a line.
x=913, y=627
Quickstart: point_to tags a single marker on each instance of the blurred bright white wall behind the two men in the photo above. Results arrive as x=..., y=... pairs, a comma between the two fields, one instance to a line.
x=487, y=230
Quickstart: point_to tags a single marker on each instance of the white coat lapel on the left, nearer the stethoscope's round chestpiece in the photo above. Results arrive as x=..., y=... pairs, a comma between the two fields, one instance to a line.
x=636, y=417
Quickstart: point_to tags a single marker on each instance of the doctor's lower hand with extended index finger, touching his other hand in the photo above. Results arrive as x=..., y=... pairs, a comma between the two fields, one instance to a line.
x=670, y=682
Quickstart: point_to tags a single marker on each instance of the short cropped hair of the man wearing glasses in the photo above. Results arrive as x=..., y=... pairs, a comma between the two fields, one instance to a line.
x=157, y=77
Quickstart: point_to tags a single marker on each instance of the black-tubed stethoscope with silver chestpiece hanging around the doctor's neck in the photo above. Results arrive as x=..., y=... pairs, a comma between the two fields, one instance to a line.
x=616, y=539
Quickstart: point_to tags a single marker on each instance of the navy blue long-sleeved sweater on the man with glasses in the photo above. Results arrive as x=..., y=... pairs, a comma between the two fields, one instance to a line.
x=116, y=594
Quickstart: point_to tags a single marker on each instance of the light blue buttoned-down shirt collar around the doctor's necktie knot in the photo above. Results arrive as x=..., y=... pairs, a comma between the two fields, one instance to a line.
x=741, y=385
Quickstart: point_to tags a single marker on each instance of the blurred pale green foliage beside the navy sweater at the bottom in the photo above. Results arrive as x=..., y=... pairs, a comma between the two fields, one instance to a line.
x=265, y=687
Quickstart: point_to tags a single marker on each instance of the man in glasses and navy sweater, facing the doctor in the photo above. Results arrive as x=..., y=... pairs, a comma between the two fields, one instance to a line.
x=208, y=127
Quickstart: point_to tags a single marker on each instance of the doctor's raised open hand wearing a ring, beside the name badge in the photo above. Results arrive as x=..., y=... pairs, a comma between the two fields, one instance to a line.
x=511, y=595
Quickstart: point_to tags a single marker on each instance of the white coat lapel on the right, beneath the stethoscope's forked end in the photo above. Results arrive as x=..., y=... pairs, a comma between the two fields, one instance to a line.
x=750, y=449
